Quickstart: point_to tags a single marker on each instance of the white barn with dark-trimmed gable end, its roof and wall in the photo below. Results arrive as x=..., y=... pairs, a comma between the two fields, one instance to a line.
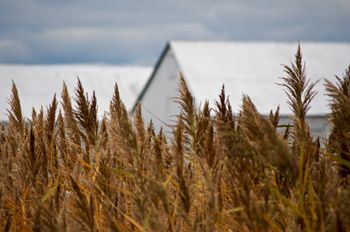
x=251, y=68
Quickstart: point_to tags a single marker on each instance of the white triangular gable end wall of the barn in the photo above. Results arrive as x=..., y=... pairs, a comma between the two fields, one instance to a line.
x=158, y=100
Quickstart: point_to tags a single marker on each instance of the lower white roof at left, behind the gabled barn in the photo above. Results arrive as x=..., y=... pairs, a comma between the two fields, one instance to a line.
x=37, y=84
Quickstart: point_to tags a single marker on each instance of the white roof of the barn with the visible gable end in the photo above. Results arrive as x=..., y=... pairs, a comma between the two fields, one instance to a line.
x=254, y=68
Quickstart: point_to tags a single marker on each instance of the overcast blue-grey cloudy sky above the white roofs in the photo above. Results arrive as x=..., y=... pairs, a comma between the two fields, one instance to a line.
x=136, y=31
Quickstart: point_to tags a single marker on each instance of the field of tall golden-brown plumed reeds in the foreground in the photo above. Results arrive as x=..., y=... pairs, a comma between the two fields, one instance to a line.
x=65, y=170
